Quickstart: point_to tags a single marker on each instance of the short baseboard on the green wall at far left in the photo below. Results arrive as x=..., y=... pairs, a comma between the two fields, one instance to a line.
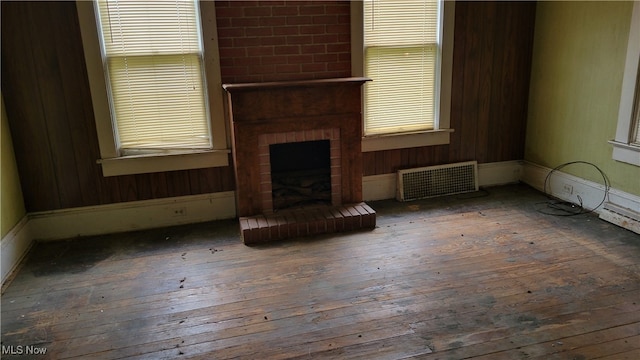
x=14, y=247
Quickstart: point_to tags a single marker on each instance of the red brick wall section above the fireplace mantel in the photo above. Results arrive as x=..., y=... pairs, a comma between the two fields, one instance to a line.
x=283, y=40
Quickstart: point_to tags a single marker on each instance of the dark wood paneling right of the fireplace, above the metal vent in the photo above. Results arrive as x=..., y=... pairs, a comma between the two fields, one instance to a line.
x=493, y=42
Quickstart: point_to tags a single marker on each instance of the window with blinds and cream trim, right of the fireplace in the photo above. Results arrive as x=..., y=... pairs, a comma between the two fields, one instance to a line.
x=407, y=55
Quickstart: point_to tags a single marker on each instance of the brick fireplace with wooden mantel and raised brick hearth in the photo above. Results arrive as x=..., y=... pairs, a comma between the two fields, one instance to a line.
x=265, y=115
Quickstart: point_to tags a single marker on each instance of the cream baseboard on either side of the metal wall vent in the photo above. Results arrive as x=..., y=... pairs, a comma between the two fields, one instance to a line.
x=381, y=187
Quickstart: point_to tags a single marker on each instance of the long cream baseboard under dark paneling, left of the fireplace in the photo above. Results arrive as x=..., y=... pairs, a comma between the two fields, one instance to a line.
x=136, y=215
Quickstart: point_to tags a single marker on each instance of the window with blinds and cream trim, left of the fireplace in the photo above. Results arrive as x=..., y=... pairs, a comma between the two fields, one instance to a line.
x=146, y=64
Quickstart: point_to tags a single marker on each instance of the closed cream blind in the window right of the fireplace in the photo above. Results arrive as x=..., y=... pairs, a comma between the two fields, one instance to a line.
x=401, y=56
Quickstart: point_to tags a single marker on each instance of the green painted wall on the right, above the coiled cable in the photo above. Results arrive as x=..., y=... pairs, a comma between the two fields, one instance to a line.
x=578, y=62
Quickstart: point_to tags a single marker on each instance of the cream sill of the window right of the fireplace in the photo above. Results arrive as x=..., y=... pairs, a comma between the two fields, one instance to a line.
x=402, y=141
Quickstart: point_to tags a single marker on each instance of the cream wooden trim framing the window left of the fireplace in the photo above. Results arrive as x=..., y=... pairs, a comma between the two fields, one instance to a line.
x=112, y=162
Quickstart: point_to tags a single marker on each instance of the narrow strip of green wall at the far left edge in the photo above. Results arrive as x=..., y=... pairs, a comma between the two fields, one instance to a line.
x=12, y=209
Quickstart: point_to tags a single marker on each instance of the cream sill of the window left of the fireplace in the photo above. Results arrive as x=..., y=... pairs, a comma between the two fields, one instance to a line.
x=143, y=164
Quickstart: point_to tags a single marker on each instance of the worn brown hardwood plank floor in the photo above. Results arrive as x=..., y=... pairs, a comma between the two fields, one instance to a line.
x=482, y=276
